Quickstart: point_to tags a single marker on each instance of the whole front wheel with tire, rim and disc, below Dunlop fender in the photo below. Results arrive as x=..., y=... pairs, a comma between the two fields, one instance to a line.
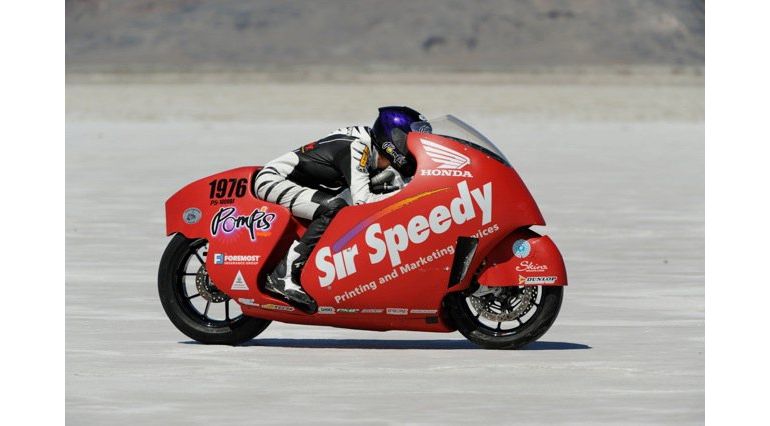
x=505, y=317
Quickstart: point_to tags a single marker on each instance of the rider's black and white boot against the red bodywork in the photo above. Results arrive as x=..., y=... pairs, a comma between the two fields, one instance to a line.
x=284, y=280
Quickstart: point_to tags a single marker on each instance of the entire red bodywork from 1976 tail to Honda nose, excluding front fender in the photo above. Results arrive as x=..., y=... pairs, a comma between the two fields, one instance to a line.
x=379, y=266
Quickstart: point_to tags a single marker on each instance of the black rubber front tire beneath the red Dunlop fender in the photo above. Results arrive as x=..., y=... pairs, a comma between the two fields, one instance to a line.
x=537, y=321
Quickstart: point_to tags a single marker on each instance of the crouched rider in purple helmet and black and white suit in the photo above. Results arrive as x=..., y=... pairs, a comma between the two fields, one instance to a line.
x=308, y=181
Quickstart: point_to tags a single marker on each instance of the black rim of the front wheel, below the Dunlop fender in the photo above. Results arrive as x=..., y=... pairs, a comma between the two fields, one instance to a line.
x=508, y=300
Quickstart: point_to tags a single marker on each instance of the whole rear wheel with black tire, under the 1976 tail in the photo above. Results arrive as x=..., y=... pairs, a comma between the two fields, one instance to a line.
x=193, y=302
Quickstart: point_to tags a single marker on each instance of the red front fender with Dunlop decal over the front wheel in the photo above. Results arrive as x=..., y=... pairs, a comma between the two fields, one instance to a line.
x=524, y=258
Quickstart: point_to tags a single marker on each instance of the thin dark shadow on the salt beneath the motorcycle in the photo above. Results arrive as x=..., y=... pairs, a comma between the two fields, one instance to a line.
x=436, y=344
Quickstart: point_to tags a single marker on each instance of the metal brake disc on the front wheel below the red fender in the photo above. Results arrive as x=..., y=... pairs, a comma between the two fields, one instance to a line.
x=503, y=303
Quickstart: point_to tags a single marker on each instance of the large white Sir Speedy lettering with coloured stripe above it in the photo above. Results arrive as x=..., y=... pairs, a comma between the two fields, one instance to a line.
x=335, y=263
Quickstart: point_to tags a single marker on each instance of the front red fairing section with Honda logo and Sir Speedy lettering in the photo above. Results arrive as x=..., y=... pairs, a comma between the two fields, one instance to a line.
x=396, y=255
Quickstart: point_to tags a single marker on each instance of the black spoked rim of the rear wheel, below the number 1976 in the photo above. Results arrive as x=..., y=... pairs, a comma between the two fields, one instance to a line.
x=209, y=307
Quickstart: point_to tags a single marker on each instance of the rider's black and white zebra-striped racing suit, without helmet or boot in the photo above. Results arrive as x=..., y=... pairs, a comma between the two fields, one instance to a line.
x=308, y=180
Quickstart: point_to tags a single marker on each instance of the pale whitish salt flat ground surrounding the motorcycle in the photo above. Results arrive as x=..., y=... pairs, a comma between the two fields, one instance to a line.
x=623, y=199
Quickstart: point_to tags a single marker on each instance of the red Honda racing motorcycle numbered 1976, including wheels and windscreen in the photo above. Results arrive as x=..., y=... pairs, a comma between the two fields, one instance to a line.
x=453, y=250
